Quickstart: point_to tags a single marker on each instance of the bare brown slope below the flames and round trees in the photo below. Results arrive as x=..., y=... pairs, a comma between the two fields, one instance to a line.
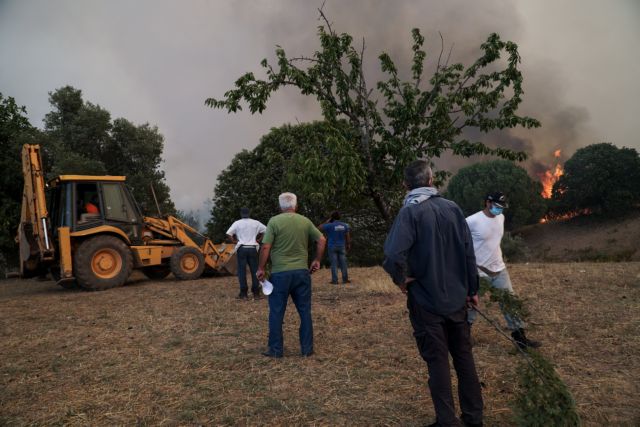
x=584, y=239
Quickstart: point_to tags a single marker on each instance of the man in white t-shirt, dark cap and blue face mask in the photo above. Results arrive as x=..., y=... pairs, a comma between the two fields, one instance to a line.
x=487, y=229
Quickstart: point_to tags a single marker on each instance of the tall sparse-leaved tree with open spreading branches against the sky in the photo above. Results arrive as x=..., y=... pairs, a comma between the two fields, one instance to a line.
x=402, y=120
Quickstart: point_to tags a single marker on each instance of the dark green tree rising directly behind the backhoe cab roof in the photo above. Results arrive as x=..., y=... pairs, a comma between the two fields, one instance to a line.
x=82, y=139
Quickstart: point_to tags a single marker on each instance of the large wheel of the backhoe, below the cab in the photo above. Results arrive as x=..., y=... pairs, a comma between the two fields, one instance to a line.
x=102, y=262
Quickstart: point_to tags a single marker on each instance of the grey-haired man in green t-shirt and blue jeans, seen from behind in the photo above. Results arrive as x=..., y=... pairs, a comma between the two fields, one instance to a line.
x=286, y=241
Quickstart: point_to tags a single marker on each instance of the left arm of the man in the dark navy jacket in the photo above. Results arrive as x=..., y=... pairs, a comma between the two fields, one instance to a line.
x=400, y=239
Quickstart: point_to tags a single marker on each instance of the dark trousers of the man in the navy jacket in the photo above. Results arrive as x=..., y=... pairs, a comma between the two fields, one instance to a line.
x=437, y=336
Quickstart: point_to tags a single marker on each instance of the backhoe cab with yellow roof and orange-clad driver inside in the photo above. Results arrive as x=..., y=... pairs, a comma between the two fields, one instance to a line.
x=84, y=203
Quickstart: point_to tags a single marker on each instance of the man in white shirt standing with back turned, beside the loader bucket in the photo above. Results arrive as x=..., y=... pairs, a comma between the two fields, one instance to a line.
x=246, y=233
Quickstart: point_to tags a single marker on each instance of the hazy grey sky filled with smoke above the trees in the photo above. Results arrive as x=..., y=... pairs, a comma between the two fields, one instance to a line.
x=157, y=61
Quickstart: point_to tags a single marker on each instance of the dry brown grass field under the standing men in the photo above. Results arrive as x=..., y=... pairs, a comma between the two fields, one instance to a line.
x=188, y=353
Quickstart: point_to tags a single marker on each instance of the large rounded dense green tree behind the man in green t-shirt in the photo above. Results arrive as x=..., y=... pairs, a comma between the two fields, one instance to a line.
x=255, y=178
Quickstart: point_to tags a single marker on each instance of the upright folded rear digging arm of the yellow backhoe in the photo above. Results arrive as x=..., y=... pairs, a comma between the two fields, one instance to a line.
x=34, y=232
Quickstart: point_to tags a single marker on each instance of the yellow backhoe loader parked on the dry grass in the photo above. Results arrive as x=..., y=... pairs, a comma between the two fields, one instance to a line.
x=91, y=233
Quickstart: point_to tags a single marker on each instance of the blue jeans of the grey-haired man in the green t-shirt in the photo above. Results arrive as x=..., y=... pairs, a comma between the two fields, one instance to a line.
x=296, y=283
